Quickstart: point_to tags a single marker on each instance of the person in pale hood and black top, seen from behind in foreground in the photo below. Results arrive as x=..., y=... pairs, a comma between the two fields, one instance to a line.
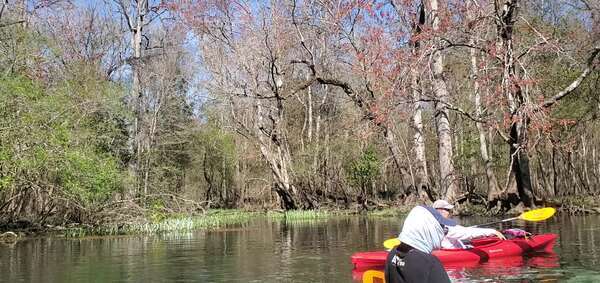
x=412, y=261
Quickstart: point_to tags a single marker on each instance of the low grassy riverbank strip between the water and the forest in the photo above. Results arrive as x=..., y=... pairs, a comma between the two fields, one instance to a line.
x=221, y=218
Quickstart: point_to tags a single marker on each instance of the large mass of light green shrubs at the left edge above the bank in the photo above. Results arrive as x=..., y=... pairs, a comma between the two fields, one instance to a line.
x=52, y=137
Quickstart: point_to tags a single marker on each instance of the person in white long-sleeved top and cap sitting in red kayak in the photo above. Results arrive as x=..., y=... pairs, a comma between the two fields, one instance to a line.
x=457, y=234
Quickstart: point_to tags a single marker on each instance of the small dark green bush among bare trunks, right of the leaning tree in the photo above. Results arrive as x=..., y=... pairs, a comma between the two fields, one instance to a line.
x=364, y=169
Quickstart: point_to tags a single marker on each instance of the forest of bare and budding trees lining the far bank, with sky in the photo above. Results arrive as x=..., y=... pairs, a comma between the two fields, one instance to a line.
x=124, y=110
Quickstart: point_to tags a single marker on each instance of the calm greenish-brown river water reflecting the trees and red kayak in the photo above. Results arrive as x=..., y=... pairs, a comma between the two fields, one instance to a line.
x=266, y=250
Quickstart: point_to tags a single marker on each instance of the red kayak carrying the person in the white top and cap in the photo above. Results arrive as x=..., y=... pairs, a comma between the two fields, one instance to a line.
x=483, y=249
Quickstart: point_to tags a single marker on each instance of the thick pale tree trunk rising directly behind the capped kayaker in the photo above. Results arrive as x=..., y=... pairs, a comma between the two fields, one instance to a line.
x=448, y=180
